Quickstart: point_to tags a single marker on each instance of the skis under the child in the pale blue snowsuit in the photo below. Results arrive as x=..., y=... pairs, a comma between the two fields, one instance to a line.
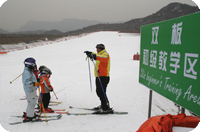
x=40, y=119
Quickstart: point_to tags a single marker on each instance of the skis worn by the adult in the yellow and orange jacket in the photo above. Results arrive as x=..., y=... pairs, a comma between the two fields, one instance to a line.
x=93, y=113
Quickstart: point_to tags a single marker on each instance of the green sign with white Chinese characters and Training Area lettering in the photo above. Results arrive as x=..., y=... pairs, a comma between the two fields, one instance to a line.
x=169, y=60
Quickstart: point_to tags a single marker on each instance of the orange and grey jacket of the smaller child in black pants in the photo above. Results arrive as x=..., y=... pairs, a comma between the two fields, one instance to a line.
x=45, y=83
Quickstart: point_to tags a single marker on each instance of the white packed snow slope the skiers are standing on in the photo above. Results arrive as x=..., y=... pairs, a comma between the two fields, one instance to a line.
x=70, y=80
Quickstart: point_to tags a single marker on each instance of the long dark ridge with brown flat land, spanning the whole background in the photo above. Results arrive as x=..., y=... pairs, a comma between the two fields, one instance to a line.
x=172, y=10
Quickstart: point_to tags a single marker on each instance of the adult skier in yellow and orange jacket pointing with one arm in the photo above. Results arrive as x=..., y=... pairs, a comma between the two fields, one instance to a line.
x=102, y=69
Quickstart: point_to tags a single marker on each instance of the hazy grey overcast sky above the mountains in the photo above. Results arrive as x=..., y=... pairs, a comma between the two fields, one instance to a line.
x=15, y=13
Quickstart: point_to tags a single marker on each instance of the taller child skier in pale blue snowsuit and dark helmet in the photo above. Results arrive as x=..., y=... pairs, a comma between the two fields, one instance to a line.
x=30, y=86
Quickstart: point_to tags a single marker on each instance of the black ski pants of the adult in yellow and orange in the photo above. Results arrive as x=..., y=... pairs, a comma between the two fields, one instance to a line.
x=101, y=92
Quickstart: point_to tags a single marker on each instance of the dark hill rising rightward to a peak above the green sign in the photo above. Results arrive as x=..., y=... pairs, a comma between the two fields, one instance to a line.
x=172, y=10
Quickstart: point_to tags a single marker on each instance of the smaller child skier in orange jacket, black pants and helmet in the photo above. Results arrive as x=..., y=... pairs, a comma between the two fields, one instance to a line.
x=46, y=87
